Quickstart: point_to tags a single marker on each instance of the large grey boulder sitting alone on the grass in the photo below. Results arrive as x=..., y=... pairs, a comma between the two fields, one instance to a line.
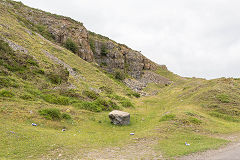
x=119, y=117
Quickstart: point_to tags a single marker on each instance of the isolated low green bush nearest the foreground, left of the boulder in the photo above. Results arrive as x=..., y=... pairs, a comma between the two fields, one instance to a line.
x=53, y=114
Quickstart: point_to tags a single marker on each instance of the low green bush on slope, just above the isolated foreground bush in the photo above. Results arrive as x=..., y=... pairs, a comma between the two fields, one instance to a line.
x=56, y=99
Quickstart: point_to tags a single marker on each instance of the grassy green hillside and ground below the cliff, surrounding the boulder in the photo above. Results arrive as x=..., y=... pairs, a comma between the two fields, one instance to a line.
x=45, y=84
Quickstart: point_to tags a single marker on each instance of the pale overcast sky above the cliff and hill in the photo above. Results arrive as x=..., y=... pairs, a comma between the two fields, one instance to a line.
x=194, y=38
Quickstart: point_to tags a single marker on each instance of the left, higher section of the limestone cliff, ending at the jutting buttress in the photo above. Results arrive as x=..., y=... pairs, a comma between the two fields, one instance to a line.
x=60, y=29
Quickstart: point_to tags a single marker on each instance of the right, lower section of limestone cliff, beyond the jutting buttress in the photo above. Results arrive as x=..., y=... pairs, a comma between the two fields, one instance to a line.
x=119, y=57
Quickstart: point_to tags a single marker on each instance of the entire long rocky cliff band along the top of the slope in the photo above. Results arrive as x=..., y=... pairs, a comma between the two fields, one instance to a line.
x=91, y=47
